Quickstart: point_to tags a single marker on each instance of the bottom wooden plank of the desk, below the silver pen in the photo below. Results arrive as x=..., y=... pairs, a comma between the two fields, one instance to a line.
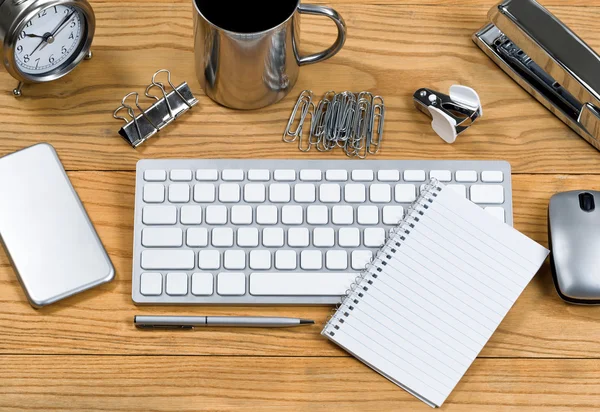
x=184, y=383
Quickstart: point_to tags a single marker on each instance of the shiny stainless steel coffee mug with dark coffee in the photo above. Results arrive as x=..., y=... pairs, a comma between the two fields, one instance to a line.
x=247, y=54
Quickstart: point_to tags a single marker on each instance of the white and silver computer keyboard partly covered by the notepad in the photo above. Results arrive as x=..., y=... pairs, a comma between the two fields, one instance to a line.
x=280, y=231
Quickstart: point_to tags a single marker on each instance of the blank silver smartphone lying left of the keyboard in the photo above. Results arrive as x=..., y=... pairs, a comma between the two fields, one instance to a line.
x=45, y=229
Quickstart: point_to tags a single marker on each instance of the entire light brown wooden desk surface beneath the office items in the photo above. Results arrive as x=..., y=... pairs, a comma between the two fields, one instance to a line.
x=84, y=354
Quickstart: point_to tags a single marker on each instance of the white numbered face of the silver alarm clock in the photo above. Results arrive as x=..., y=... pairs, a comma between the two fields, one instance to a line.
x=51, y=39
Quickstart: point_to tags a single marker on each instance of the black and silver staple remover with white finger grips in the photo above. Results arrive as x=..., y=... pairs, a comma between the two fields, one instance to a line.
x=451, y=114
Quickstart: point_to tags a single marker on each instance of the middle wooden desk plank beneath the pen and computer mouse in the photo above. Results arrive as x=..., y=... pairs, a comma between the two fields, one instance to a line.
x=100, y=321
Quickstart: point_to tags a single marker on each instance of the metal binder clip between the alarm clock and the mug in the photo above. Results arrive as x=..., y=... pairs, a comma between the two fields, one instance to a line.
x=168, y=107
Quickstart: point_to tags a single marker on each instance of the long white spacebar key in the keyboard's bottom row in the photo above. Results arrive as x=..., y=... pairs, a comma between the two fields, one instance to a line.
x=300, y=284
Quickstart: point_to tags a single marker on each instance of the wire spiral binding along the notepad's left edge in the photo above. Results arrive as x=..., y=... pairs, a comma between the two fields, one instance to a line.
x=357, y=290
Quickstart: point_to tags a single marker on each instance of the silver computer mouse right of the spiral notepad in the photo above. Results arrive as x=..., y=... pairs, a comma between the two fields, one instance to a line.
x=574, y=231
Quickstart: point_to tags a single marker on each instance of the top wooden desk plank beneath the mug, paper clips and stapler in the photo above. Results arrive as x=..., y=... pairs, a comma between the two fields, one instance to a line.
x=391, y=50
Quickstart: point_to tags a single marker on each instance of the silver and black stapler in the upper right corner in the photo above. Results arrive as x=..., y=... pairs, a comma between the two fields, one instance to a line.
x=548, y=60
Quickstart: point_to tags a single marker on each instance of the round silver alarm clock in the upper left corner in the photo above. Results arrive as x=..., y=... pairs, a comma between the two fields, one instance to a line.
x=43, y=40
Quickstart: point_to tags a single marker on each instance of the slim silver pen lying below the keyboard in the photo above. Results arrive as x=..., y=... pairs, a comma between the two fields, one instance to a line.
x=190, y=322
